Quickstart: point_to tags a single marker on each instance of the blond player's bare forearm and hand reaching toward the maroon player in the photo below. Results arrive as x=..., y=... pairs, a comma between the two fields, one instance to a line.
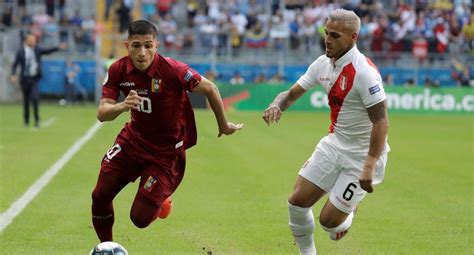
x=282, y=102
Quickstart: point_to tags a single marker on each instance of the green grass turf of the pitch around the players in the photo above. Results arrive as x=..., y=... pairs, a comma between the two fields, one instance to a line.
x=233, y=197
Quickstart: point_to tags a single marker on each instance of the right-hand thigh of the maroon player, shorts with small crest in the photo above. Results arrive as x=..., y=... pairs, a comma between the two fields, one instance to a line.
x=159, y=181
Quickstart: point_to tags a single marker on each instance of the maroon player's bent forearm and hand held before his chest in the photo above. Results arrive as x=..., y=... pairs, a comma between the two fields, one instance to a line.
x=109, y=109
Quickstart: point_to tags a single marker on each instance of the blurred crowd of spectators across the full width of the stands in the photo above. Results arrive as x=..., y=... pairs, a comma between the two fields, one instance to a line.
x=429, y=30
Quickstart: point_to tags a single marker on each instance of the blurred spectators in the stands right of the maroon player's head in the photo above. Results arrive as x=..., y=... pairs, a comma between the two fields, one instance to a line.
x=424, y=27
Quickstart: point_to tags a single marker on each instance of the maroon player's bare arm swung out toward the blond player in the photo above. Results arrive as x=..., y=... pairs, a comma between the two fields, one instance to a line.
x=213, y=96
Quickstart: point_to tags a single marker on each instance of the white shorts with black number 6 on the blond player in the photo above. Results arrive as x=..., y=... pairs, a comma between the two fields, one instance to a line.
x=337, y=172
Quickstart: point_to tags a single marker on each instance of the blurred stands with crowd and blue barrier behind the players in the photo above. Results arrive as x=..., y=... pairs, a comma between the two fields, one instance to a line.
x=415, y=43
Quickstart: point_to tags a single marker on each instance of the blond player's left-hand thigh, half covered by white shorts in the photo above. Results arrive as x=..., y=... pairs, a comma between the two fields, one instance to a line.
x=317, y=176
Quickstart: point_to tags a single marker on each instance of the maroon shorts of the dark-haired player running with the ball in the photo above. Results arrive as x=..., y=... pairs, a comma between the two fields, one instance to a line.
x=159, y=177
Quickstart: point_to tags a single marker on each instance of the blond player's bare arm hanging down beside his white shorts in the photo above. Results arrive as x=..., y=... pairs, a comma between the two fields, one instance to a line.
x=379, y=118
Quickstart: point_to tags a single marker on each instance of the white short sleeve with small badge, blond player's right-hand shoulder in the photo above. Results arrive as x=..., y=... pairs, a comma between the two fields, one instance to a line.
x=370, y=87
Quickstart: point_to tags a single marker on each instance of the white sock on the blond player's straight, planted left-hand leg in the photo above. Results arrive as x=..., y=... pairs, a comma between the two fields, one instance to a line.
x=302, y=227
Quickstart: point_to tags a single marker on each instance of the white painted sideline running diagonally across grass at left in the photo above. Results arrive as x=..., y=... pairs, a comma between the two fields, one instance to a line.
x=7, y=217
